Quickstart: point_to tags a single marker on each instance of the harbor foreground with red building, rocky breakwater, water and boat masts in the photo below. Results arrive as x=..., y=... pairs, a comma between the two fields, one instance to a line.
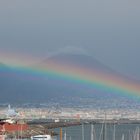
x=71, y=130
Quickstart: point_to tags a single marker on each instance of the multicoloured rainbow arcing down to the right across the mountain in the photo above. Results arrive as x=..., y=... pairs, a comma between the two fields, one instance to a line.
x=84, y=76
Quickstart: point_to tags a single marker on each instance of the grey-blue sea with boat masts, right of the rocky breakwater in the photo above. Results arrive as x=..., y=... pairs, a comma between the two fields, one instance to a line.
x=100, y=132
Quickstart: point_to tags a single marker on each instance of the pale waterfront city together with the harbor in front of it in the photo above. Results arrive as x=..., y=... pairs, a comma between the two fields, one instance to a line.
x=68, y=124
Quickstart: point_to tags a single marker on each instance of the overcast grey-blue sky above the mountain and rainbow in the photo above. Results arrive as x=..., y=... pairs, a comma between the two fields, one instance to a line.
x=108, y=30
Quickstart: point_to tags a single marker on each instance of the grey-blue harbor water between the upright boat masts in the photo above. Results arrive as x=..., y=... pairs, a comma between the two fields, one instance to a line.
x=75, y=132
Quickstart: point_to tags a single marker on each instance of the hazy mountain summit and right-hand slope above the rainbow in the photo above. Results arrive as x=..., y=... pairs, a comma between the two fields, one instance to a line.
x=83, y=61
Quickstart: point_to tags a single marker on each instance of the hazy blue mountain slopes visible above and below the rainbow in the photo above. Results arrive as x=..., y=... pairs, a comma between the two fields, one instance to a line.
x=22, y=87
